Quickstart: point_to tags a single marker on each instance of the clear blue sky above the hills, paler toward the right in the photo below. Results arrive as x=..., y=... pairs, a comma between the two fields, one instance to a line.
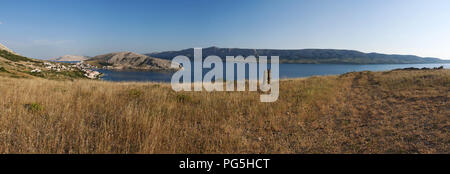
x=52, y=28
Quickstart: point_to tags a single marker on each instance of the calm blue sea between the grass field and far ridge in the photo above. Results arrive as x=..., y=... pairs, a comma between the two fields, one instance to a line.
x=286, y=71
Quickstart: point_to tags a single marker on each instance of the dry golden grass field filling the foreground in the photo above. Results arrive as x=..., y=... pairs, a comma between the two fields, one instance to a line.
x=364, y=112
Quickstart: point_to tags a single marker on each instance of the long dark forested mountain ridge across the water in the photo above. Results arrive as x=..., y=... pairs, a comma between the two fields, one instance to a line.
x=312, y=56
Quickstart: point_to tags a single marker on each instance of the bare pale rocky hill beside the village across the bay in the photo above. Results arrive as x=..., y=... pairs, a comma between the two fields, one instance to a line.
x=129, y=60
